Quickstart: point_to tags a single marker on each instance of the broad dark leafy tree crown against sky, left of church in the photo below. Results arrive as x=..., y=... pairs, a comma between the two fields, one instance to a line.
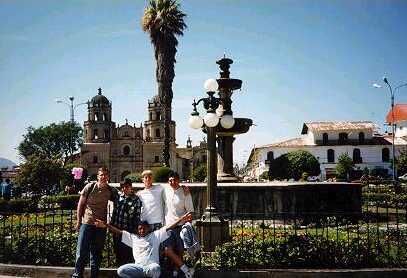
x=52, y=141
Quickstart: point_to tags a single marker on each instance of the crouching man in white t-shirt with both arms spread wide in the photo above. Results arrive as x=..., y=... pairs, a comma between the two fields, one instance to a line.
x=146, y=246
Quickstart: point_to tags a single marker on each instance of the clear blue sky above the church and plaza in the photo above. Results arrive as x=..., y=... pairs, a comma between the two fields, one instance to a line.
x=299, y=61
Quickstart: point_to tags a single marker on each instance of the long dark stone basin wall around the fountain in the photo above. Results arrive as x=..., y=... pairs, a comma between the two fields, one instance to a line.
x=278, y=200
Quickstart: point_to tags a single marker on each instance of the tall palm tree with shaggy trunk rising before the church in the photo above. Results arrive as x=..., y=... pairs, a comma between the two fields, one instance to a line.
x=164, y=21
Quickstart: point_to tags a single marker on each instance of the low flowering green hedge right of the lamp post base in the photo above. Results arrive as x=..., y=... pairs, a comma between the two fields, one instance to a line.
x=300, y=251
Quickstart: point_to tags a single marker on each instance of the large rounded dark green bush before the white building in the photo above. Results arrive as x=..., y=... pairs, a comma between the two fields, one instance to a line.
x=293, y=165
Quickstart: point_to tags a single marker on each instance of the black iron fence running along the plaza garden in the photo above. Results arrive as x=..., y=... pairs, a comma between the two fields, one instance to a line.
x=376, y=236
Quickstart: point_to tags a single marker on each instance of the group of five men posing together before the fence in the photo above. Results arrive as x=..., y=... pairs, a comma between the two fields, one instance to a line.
x=153, y=222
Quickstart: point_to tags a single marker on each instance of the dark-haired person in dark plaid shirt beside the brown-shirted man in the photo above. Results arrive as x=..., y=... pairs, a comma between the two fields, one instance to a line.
x=126, y=216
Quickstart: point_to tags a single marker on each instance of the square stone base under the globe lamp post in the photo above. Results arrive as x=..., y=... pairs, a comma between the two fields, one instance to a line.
x=213, y=230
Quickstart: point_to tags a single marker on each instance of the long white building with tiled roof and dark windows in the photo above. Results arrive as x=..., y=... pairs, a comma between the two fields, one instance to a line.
x=327, y=141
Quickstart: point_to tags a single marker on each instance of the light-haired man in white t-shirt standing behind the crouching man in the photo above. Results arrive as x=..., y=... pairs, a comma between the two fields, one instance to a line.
x=152, y=198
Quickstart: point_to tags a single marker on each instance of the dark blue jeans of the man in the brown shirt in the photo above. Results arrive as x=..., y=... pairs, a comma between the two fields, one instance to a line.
x=90, y=240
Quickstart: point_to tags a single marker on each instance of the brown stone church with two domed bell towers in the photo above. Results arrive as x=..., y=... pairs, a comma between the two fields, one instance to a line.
x=129, y=148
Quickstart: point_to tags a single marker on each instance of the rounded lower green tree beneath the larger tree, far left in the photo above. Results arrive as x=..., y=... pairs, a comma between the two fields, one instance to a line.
x=38, y=174
